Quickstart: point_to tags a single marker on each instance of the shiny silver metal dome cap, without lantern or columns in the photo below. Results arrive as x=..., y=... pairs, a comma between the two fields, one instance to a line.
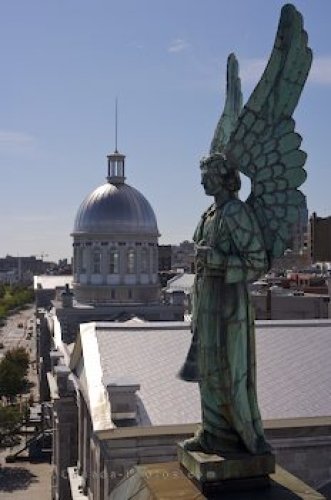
x=115, y=209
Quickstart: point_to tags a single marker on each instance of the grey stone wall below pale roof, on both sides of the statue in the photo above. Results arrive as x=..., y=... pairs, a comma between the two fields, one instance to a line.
x=305, y=452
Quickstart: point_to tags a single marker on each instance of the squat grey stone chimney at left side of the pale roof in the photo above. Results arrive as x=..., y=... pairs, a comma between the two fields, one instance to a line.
x=122, y=395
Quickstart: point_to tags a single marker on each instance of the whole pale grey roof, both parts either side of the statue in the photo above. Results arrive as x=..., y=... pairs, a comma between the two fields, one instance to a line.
x=293, y=359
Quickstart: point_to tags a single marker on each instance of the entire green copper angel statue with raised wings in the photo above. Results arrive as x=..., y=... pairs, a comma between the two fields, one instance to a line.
x=236, y=241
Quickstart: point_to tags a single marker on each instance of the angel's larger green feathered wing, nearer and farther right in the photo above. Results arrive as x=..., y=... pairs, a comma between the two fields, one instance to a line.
x=264, y=145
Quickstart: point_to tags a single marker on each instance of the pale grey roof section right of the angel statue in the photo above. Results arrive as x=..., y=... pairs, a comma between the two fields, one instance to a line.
x=294, y=369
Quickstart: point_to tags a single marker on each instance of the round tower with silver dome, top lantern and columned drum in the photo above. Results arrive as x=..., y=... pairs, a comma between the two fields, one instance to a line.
x=115, y=243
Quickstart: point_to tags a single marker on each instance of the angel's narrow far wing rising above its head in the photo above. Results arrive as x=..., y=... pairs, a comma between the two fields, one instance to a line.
x=232, y=107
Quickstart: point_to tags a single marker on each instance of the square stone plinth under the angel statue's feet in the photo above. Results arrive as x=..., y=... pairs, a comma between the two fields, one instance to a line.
x=228, y=472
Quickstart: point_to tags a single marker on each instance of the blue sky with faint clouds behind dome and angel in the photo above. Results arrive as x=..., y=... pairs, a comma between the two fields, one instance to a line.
x=63, y=62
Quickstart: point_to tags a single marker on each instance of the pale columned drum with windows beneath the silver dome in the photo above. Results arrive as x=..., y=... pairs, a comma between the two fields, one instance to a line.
x=115, y=271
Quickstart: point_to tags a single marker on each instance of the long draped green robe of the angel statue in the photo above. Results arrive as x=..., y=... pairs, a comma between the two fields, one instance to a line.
x=223, y=327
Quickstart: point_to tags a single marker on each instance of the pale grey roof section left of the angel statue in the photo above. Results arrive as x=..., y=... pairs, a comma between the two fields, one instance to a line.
x=153, y=356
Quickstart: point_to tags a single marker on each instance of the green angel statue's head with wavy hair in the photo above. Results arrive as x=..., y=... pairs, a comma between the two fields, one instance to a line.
x=217, y=174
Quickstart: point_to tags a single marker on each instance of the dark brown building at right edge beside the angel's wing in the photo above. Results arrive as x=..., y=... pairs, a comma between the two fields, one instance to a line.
x=320, y=238
